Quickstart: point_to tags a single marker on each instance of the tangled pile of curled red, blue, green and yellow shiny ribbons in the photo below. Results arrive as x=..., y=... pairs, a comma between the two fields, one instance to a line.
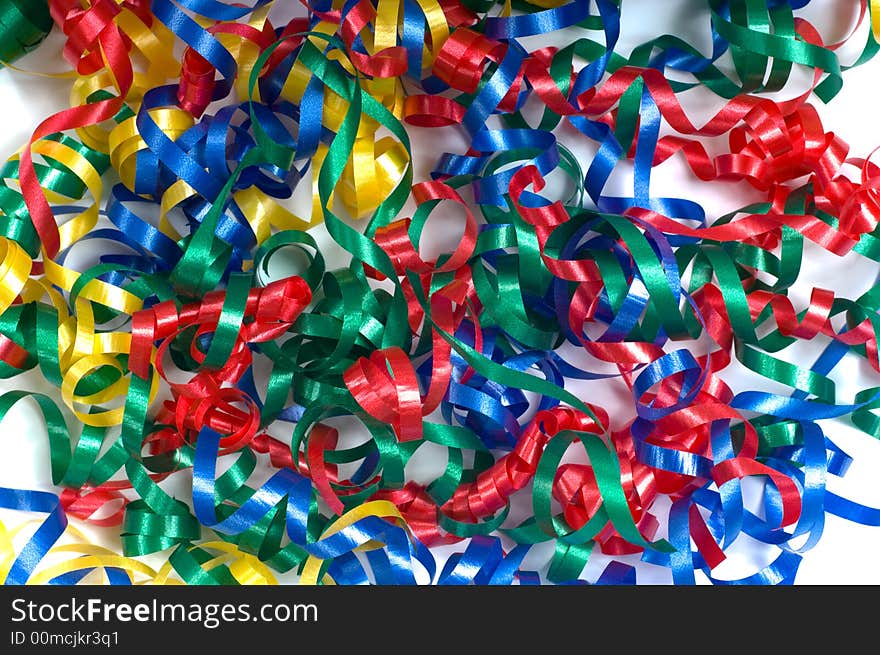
x=140, y=227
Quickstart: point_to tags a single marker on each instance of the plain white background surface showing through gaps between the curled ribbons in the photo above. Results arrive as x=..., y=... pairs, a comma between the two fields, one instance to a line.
x=846, y=553
